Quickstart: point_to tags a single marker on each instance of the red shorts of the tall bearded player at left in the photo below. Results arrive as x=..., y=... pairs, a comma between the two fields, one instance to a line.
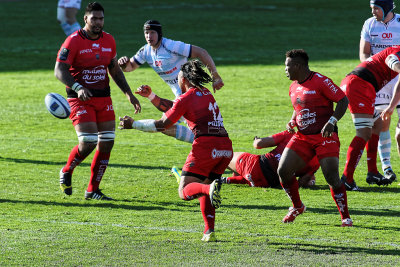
x=97, y=109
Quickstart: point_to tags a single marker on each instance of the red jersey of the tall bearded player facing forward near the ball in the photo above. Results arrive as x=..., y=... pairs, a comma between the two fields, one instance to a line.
x=89, y=60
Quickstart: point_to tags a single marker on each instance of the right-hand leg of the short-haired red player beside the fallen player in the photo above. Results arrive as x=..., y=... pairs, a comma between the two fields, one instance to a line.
x=330, y=169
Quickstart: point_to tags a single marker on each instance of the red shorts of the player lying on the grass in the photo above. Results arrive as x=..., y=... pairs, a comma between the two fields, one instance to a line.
x=248, y=166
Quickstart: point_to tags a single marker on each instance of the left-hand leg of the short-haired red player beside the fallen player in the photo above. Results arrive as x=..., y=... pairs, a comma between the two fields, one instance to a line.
x=290, y=163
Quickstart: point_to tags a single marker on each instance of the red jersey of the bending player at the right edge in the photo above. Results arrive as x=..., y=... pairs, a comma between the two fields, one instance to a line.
x=377, y=66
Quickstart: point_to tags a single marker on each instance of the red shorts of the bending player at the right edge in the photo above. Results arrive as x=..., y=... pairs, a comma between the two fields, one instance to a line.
x=361, y=94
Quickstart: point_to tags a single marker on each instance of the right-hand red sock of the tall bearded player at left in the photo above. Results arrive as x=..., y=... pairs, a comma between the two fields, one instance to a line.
x=98, y=168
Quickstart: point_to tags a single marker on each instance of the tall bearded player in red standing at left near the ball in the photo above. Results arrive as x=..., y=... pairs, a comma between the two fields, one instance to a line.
x=83, y=63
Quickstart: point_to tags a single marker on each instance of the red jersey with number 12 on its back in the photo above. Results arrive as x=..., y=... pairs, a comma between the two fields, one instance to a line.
x=201, y=112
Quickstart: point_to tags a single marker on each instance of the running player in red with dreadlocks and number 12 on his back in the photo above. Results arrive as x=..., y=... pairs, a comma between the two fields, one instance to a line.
x=211, y=149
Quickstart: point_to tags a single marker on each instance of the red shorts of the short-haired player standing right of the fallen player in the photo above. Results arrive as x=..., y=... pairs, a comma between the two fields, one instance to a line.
x=307, y=146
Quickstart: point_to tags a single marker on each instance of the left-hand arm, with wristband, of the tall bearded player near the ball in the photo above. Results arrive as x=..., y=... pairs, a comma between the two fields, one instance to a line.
x=61, y=71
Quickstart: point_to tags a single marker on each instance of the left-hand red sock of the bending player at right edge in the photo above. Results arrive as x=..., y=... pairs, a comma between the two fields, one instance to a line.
x=354, y=154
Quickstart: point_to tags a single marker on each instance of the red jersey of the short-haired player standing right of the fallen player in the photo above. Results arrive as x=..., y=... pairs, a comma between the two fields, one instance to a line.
x=313, y=102
